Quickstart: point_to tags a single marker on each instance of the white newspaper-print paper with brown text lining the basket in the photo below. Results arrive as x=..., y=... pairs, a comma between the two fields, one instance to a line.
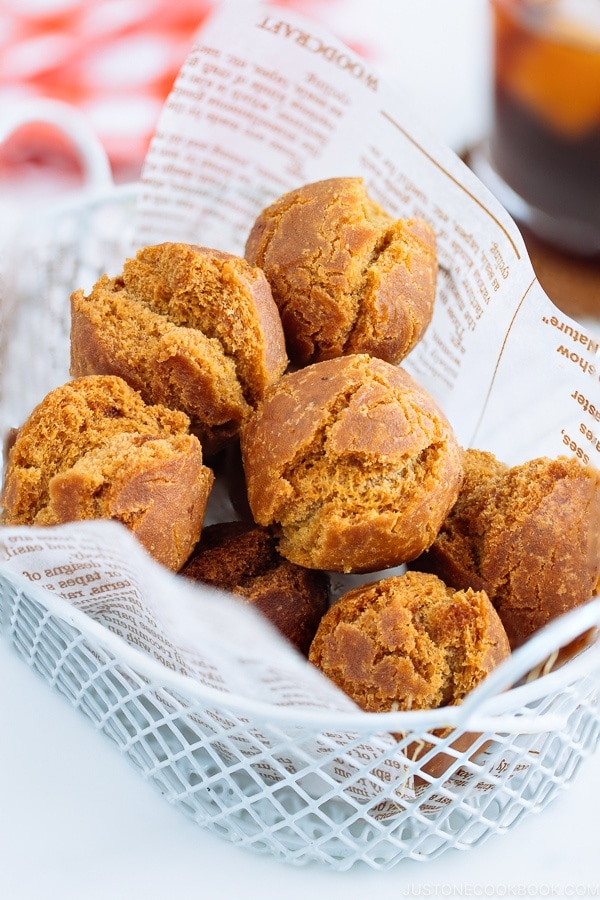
x=267, y=101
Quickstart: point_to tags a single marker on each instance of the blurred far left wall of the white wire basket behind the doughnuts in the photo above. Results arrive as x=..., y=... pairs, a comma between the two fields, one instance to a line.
x=66, y=245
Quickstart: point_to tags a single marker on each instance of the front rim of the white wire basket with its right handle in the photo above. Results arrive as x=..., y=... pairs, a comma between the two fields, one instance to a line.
x=484, y=709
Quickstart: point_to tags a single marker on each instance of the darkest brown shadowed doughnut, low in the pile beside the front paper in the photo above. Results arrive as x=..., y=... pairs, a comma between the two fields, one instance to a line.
x=242, y=558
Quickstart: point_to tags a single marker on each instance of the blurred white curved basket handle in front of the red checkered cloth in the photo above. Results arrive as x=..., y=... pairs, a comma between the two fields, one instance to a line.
x=72, y=123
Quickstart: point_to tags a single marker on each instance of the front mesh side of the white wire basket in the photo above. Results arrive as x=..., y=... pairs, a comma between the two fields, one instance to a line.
x=336, y=789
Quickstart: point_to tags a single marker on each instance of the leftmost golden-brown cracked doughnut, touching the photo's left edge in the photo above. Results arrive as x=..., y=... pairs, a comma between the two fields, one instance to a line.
x=92, y=449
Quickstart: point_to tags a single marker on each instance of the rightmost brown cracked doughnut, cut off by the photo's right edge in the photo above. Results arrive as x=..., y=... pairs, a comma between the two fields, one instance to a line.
x=529, y=535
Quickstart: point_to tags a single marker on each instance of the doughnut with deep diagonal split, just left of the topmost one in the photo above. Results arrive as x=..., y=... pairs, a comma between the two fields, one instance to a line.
x=190, y=327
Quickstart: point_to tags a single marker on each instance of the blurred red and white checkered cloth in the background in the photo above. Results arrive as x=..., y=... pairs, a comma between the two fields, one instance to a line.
x=115, y=60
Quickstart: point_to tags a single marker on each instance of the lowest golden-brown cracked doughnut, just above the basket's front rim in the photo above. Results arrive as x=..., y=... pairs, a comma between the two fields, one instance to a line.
x=409, y=642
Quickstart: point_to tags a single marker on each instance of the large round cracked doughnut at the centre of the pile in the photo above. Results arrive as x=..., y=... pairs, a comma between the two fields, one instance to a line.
x=352, y=463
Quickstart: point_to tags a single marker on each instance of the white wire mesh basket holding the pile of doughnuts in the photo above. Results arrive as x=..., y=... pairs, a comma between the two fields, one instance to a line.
x=303, y=786
